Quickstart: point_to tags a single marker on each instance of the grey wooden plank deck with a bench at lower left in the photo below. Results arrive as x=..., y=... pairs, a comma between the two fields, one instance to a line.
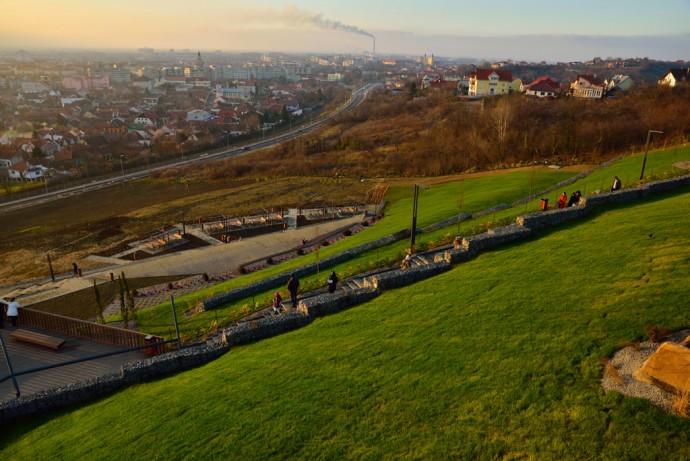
x=24, y=356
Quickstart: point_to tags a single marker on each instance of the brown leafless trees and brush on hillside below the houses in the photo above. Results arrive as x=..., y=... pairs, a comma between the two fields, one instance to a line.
x=440, y=134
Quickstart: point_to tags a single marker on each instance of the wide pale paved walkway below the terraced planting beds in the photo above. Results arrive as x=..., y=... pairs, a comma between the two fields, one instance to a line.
x=215, y=259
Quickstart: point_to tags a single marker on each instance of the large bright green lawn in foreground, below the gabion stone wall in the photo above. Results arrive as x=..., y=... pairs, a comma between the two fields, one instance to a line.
x=497, y=358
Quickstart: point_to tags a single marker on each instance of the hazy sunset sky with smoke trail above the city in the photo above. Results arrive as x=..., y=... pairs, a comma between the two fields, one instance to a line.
x=531, y=30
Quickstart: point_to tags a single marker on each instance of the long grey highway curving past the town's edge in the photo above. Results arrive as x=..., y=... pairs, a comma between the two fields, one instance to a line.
x=355, y=100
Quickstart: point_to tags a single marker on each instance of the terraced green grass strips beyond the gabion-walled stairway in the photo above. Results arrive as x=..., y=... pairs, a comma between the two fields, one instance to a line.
x=435, y=204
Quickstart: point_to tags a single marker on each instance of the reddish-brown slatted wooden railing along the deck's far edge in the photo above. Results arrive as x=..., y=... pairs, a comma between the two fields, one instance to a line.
x=88, y=330
